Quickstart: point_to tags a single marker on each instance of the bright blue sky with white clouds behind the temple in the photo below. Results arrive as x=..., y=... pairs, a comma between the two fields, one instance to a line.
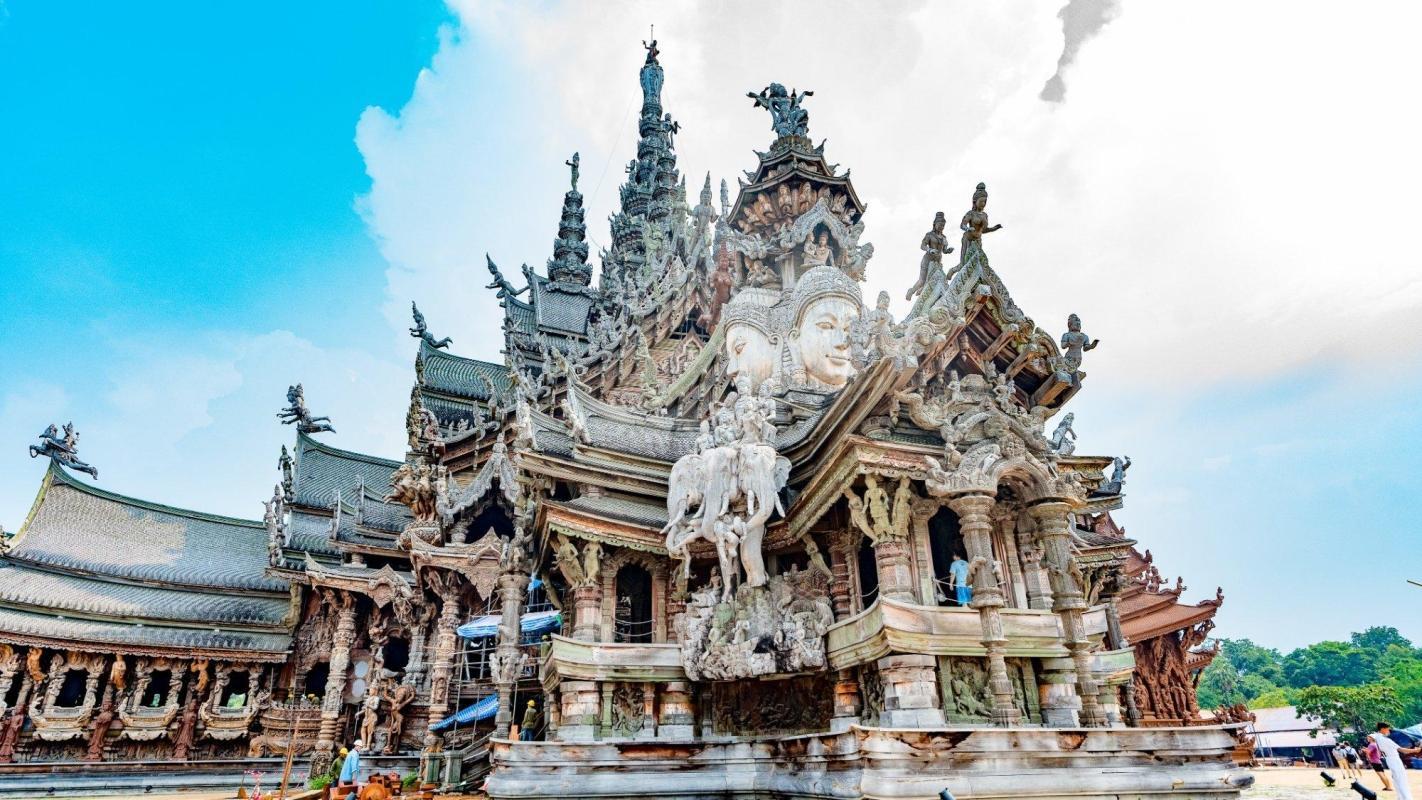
x=203, y=205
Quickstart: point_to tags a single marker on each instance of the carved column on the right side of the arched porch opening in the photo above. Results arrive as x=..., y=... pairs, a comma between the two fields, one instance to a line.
x=1069, y=603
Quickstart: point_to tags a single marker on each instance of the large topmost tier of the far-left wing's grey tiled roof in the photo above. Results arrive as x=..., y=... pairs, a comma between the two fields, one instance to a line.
x=80, y=528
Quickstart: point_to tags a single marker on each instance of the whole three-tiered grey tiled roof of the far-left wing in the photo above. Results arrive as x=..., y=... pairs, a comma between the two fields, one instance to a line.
x=102, y=572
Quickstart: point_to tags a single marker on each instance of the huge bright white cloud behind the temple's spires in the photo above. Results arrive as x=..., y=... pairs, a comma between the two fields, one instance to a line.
x=1224, y=193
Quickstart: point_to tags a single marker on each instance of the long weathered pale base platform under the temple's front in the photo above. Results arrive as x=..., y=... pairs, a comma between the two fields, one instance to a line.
x=975, y=764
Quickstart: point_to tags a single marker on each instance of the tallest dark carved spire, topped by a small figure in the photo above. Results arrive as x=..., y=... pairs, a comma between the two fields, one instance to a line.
x=649, y=194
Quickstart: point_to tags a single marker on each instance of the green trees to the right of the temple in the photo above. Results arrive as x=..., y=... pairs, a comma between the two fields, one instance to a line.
x=1373, y=677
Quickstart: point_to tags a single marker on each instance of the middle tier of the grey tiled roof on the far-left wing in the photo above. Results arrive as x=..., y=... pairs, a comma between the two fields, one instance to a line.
x=50, y=593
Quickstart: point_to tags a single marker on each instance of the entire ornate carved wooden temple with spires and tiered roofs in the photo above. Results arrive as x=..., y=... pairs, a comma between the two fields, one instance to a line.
x=716, y=528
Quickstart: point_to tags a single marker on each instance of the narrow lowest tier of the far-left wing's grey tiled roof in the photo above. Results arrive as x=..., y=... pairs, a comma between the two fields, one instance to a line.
x=23, y=625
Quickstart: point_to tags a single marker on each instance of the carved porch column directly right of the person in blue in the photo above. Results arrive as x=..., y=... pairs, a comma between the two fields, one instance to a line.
x=975, y=522
